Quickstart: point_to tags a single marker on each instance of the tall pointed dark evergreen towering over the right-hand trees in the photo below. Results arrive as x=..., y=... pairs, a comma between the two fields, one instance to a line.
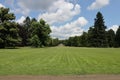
x=98, y=34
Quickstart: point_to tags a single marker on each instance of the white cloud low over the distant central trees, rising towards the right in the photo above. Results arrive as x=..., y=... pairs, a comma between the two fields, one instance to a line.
x=70, y=29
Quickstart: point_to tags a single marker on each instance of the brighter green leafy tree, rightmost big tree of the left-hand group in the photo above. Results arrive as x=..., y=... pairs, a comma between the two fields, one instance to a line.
x=42, y=30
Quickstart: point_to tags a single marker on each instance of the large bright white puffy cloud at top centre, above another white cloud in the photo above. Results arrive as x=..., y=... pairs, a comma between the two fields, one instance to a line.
x=60, y=11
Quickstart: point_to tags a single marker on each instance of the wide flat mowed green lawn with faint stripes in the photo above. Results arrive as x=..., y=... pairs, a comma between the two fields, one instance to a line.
x=59, y=61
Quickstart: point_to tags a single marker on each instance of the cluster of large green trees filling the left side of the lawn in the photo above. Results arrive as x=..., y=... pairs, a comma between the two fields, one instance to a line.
x=31, y=33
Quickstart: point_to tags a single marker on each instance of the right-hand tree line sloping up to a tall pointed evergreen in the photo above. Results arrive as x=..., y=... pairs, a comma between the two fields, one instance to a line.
x=97, y=36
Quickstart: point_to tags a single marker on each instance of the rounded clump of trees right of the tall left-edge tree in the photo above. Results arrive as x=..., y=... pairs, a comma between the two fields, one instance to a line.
x=32, y=28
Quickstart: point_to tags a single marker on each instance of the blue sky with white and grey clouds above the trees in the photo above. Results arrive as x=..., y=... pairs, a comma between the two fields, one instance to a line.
x=66, y=18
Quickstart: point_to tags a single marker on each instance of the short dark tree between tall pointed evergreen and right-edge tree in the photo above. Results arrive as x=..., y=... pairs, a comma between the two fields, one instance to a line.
x=111, y=38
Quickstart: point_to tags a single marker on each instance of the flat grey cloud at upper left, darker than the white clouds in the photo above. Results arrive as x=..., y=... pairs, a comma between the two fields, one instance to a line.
x=25, y=6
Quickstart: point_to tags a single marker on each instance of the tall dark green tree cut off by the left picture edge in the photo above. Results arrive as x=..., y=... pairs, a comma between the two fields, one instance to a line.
x=8, y=29
